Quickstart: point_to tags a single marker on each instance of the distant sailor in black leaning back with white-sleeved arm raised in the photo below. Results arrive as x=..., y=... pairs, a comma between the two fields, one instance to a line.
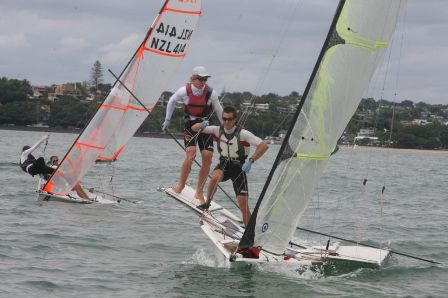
x=30, y=164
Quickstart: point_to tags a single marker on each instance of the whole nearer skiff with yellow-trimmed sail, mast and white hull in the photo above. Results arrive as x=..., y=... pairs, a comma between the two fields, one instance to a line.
x=357, y=39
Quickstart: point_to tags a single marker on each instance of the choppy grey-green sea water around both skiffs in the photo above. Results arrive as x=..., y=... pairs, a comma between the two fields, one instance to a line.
x=154, y=247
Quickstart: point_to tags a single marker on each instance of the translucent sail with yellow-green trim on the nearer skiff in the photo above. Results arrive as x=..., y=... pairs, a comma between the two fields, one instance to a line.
x=354, y=47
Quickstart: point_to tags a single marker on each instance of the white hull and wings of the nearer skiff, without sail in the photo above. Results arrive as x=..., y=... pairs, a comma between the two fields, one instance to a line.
x=225, y=230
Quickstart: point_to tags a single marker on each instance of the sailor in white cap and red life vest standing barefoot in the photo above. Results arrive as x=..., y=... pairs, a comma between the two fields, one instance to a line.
x=199, y=100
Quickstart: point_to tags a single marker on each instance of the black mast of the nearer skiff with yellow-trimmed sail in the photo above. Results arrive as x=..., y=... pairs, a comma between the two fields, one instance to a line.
x=248, y=237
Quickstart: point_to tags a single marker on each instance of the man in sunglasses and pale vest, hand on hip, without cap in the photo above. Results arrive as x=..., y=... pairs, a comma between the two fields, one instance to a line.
x=233, y=163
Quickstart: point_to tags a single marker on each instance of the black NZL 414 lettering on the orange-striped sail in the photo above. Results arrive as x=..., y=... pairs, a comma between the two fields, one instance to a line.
x=175, y=41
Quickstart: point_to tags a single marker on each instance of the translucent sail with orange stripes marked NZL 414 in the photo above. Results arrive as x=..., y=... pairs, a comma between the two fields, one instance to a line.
x=146, y=76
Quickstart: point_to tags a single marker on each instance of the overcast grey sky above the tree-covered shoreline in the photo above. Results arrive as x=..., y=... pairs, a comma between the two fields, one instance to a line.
x=258, y=46
